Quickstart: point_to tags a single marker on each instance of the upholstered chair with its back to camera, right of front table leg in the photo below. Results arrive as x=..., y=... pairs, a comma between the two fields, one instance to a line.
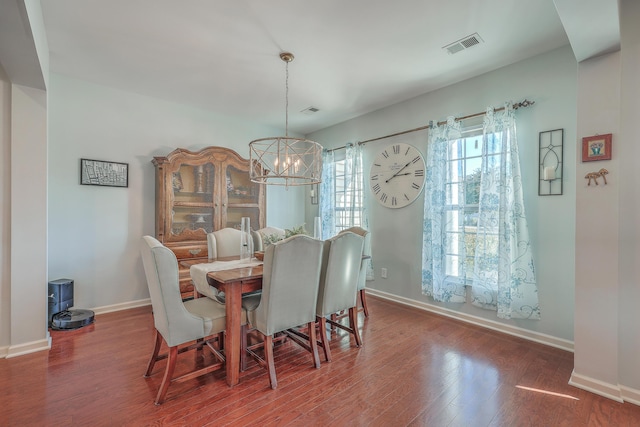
x=291, y=275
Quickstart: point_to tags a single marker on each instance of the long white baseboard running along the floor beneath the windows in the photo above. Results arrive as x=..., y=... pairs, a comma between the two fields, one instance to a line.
x=479, y=321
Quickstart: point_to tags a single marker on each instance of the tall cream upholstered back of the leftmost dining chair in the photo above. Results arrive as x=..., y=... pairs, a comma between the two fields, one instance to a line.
x=171, y=318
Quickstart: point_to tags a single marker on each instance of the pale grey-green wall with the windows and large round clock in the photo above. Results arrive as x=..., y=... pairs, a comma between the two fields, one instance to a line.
x=550, y=81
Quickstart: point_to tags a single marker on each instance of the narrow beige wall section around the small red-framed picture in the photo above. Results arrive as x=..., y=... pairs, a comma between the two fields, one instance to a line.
x=597, y=225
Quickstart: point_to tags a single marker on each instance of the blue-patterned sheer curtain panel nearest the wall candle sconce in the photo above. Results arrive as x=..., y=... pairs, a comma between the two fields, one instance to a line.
x=503, y=279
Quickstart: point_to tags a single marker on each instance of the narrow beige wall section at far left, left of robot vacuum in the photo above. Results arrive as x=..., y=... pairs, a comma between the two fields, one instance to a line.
x=28, y=240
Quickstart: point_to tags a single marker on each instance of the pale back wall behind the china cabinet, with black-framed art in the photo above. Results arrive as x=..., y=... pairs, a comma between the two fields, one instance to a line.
x=95, y=231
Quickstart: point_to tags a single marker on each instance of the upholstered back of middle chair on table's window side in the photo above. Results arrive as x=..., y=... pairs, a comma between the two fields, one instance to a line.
x=341, y=262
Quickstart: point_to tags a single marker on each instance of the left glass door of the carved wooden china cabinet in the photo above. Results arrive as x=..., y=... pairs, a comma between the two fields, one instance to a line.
x=192, y=204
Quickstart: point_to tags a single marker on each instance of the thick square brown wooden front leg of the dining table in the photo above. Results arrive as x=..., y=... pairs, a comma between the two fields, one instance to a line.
x=233, y=296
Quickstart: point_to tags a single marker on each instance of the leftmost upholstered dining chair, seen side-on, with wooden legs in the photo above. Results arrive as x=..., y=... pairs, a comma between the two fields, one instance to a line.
x=178, y=322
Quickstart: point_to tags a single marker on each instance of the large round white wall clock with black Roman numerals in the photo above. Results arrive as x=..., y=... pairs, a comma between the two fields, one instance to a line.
x=397, y=175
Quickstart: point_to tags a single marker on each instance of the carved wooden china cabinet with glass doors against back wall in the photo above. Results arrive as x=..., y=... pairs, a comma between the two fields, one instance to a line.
x=200, y=192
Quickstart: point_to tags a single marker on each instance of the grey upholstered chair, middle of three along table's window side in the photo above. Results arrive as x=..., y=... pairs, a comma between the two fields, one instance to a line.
x=337, y=292
